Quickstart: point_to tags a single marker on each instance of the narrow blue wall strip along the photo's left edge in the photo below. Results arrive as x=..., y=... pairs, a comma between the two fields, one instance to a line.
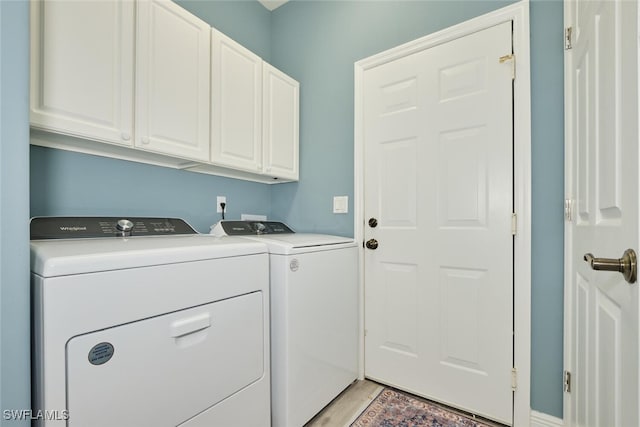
x=14, y=208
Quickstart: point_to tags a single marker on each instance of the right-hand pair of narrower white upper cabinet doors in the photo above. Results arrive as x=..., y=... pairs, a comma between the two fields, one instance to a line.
x=254, y=112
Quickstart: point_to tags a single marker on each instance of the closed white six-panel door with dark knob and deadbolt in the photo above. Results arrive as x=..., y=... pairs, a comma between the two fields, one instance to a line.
x=438, y=171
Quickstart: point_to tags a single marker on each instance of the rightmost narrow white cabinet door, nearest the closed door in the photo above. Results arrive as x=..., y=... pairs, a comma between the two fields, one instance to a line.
x=281, y=118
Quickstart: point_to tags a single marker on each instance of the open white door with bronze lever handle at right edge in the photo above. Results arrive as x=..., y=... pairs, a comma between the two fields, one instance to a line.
x=602, y=180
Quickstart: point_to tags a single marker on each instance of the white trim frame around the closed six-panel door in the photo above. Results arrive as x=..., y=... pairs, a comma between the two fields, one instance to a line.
x=518, y=13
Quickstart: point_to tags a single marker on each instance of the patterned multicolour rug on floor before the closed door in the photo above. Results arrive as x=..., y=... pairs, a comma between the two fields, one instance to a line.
x=393, y=408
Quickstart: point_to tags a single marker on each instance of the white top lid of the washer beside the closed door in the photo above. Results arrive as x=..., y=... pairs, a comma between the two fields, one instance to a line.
x=285, y=244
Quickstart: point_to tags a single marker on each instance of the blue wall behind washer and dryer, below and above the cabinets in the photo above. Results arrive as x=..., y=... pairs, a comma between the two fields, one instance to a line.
x=66, y=183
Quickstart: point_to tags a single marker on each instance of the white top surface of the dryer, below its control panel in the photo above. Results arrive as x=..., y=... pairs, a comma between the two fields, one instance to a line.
x=51, y=258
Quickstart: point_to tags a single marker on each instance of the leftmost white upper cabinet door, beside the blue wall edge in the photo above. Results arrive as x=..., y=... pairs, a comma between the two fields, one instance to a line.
x=82, y=68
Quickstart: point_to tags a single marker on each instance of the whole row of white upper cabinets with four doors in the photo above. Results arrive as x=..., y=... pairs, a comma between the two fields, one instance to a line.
x=147, y=81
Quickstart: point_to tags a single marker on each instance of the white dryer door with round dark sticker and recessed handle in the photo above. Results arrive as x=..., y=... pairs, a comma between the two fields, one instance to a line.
x=164, y=370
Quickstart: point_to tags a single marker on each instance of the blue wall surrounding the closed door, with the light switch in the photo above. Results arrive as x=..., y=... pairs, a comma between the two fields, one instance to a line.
x=317, y=42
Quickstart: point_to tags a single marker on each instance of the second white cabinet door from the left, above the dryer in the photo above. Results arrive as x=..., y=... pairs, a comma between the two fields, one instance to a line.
x=172, y=81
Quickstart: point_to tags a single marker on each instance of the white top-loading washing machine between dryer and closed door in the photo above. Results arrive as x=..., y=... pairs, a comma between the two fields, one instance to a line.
x=314, y=316
